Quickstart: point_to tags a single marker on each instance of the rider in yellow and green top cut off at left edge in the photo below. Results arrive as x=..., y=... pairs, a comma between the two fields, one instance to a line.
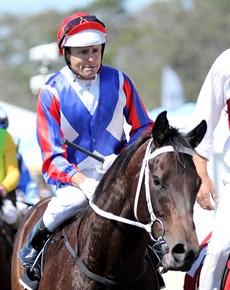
x=9, y=174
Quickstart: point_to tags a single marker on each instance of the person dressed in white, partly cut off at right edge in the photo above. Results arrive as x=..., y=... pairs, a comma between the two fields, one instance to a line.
x=213, y=98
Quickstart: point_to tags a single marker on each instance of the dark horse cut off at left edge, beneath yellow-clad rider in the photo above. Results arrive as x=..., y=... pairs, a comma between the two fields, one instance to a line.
x=6, y=250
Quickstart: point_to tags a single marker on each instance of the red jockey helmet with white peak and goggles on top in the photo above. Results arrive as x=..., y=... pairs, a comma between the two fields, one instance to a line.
x=80, y=30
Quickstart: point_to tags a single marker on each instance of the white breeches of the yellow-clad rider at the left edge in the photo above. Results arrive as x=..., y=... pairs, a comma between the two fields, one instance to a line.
x=9, y=213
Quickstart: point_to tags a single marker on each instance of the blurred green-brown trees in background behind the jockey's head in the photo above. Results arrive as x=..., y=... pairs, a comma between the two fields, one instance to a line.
x=140, y=44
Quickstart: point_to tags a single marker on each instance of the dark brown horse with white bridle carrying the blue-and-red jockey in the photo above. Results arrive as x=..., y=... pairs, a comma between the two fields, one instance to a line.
x=147, y=195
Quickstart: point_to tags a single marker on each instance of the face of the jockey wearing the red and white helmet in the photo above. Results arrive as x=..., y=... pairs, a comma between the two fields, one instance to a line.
x=85, y=61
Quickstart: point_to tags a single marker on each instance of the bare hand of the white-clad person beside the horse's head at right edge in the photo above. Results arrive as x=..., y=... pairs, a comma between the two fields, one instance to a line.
x=206, y=192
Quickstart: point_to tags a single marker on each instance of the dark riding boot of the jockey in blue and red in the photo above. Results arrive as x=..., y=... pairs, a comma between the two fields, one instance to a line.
x=28, y=254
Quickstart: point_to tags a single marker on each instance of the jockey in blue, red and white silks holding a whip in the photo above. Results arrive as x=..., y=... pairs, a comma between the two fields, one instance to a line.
x=87, y=103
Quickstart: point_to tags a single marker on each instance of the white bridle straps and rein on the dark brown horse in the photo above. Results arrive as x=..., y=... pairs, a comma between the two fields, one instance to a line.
x=144, y=172
